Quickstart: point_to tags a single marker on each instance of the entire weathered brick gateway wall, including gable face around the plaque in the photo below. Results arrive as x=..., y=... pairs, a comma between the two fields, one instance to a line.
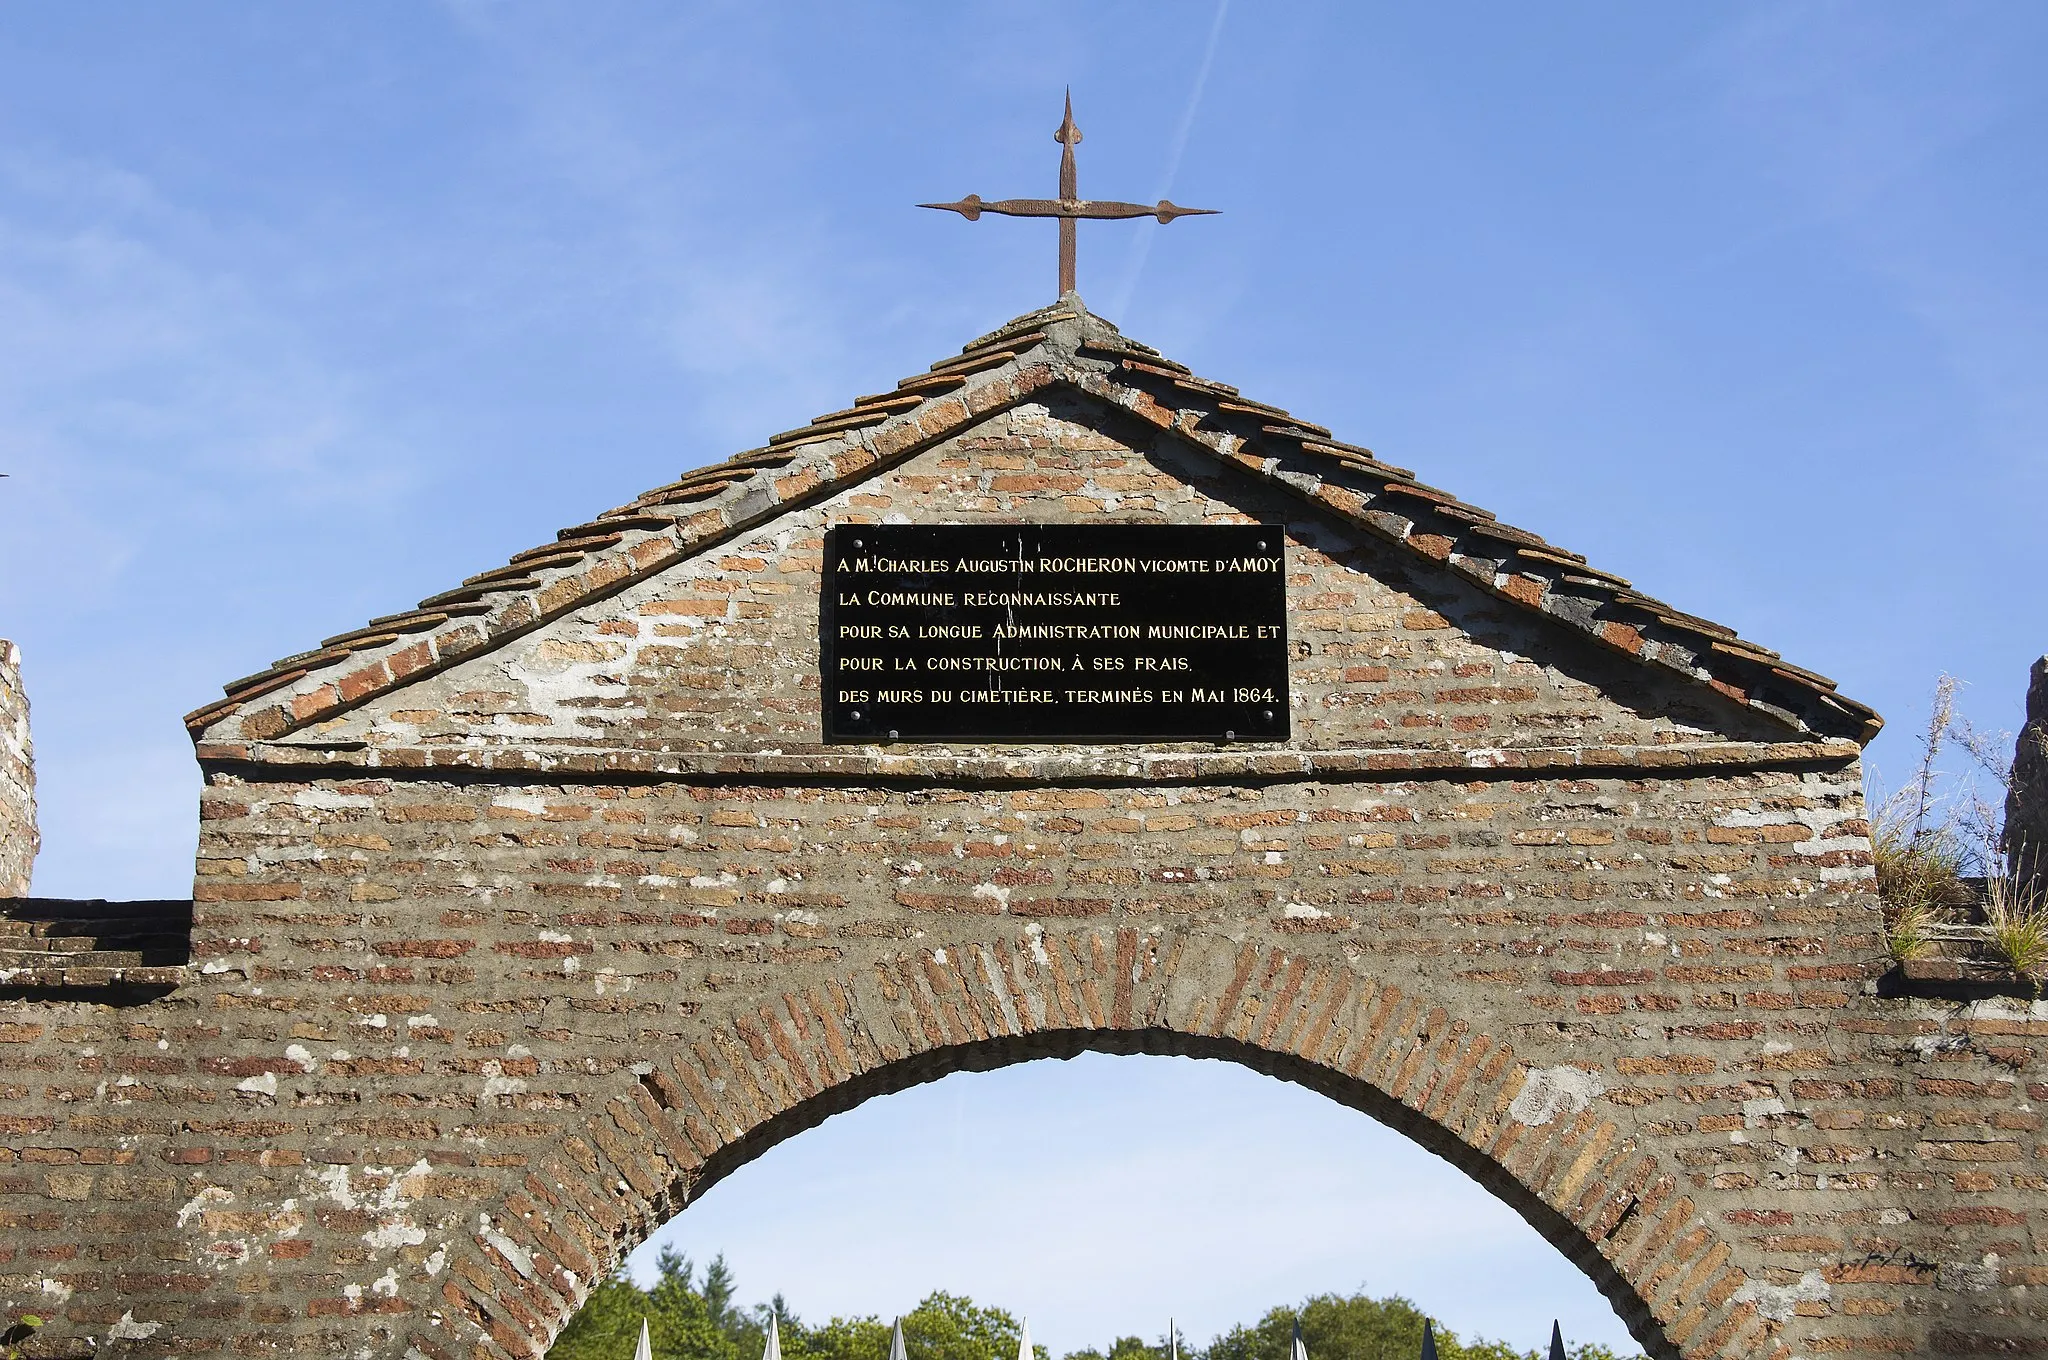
x=499, y=970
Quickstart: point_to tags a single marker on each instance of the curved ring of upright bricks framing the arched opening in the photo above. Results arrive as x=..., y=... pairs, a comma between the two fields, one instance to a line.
x=773, y=1068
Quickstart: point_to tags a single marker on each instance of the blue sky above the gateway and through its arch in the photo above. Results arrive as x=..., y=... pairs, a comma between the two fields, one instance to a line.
x=308, y=312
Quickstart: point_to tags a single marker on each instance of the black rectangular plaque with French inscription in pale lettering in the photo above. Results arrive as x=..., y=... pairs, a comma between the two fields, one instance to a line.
x=1054, y=634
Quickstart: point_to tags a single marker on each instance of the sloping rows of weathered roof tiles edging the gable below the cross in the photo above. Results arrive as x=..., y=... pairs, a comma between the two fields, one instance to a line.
x=1062, y=343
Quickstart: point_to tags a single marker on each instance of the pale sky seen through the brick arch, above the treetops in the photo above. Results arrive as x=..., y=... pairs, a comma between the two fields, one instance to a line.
x=1097, y=1193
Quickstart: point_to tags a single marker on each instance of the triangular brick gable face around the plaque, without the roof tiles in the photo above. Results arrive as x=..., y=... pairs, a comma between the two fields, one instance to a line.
x=720, y=654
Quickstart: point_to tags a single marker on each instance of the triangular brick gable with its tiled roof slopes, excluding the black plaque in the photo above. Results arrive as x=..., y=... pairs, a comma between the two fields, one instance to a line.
x=687, y=620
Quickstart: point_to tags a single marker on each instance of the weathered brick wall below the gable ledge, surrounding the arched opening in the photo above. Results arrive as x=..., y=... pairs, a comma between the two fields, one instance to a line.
x=454, y=1050
